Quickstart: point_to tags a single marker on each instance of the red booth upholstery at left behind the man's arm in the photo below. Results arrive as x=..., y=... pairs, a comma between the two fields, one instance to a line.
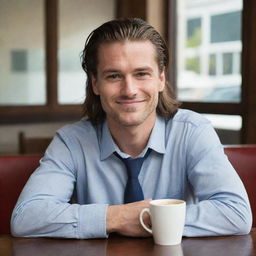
x=14, y=173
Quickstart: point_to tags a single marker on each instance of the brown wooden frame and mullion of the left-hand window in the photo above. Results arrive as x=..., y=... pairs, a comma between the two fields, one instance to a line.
x=52, y=111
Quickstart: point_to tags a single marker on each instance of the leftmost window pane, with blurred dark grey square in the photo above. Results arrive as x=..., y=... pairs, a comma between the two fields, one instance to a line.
x=22, y=72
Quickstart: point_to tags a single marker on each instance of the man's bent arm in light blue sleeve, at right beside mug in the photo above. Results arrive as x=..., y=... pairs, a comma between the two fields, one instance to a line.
x=223, y=207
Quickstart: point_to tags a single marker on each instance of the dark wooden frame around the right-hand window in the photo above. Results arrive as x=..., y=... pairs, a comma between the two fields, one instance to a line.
x=246, y=108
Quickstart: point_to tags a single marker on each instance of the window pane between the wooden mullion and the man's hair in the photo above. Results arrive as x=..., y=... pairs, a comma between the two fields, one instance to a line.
x=76, y=20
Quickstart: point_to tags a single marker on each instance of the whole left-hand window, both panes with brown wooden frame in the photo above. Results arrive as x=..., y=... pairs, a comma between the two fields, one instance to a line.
x=41, y=43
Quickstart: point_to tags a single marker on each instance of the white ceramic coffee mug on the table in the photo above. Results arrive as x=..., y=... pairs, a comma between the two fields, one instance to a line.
x=167, y=219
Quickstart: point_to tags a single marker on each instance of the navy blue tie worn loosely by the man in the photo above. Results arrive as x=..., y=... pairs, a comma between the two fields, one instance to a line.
x=133, y=191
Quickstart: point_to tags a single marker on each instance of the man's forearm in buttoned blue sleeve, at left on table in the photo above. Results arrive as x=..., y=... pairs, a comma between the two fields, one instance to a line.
x=41, y=218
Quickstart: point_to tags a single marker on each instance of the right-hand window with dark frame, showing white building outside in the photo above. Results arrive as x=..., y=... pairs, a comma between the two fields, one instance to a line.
x=212, y=54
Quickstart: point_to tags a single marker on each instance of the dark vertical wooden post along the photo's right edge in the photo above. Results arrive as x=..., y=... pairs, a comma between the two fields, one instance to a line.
x=248, y=72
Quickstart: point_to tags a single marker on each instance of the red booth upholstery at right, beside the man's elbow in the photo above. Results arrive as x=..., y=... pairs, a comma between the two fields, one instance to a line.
x=243, y=158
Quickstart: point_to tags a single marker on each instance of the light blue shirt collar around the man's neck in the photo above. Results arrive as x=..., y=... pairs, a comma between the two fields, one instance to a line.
x=156, y=141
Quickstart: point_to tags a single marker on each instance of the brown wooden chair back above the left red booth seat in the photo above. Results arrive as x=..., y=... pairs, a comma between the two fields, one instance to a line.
x=32, y=145
